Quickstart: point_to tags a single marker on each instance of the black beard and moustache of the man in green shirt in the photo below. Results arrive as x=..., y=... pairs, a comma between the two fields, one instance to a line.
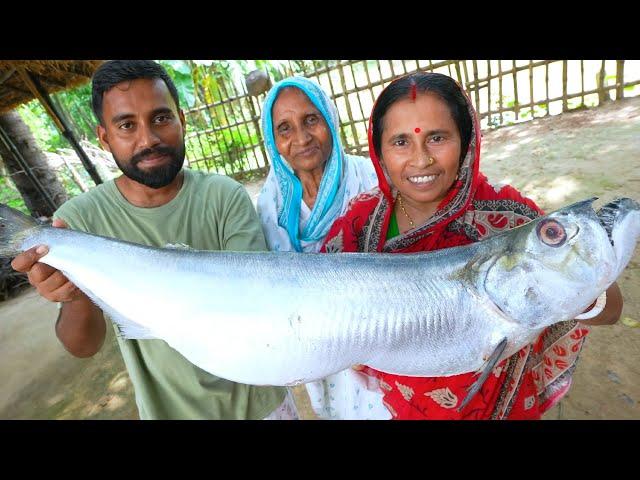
x=156, y=177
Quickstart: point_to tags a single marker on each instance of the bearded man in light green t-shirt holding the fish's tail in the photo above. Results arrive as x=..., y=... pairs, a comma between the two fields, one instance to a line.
x=155, y=202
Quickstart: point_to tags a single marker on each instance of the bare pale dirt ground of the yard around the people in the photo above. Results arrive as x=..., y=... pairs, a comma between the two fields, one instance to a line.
x=555, y=161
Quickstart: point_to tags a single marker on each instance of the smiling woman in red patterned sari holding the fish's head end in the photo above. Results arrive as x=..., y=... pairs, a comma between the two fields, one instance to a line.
x=424, y=141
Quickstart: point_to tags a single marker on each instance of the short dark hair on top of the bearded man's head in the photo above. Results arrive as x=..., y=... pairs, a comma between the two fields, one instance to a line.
x=113, y=72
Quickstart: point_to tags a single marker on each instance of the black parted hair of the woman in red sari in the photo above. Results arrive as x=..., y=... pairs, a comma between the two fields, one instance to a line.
x=442, y=85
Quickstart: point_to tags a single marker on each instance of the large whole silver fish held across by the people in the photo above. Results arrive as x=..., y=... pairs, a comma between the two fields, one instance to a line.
x=285, y=318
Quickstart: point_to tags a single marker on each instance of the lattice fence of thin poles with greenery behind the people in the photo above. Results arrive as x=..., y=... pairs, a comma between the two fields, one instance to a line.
x=223, y=126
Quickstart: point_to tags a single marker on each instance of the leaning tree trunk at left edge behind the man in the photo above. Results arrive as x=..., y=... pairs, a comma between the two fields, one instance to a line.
x=21, y=136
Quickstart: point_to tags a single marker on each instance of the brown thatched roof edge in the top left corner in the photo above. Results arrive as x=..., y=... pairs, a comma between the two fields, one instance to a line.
x=53, y=75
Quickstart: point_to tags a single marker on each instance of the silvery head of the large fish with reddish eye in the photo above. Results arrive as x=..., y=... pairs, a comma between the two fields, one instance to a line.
x=553, y=268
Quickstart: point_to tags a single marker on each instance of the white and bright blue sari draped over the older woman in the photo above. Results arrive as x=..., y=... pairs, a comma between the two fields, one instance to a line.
x=290, y=225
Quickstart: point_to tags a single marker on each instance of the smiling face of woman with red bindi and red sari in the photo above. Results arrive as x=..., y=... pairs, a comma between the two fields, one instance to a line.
x=415, y=131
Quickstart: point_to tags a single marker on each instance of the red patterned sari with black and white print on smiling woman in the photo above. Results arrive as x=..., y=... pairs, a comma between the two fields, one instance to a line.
x=521, y=387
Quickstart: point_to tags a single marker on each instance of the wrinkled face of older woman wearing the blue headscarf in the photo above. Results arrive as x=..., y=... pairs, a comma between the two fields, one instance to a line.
x=302, y=135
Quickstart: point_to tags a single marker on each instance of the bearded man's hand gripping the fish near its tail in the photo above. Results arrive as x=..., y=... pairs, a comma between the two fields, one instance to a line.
x=50, y=283
